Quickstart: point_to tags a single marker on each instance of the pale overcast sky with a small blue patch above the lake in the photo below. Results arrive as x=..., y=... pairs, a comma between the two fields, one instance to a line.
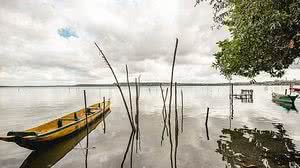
x=52, y=42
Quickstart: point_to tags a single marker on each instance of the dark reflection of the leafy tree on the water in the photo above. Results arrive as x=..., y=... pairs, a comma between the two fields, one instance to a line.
x=258, y=148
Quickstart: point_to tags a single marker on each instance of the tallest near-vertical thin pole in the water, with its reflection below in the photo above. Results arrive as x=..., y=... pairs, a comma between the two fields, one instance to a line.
x=170, y=104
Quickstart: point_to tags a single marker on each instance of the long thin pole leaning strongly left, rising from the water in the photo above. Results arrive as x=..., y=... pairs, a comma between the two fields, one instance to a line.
x=118, y=85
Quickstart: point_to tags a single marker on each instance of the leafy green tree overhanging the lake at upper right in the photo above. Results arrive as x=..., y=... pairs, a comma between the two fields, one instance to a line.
x=265, y=36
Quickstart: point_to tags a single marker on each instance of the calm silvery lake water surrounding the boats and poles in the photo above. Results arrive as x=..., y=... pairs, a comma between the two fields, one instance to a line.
x=261, y=133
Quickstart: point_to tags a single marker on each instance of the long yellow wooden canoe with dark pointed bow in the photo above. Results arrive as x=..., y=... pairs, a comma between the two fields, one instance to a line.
x=56, y=130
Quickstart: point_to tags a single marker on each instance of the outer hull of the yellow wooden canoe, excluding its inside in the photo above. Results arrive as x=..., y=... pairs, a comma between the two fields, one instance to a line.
x=46, y=139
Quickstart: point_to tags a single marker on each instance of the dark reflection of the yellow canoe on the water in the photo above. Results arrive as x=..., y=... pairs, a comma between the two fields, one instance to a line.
x=49, y=156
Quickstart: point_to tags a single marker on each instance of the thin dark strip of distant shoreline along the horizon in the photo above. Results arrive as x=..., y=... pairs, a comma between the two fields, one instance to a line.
x=267, y=83
